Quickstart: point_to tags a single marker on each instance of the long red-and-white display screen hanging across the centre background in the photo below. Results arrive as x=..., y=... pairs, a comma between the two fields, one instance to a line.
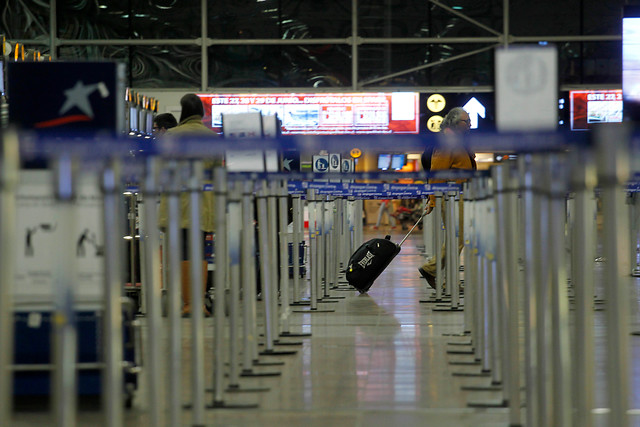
x=323, y=113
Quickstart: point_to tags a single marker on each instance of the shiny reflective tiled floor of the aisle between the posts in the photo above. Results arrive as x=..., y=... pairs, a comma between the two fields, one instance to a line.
x=379, y=359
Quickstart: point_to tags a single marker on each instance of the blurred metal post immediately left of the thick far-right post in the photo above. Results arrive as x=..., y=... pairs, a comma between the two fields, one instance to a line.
x=583, y=254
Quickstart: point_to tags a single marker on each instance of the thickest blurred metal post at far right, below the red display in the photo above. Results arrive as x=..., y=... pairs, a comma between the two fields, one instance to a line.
x=613, y=172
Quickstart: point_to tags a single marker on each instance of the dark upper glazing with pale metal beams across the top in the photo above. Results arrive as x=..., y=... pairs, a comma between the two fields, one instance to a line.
x=325, y=45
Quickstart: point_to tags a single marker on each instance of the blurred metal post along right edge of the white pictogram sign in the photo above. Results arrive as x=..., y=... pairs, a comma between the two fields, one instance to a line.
x=113, y=352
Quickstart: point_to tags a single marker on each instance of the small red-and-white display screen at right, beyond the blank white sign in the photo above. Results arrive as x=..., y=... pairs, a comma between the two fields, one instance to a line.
x=589, y=107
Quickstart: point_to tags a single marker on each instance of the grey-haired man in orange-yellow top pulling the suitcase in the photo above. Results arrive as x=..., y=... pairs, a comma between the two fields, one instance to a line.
x=450, y=154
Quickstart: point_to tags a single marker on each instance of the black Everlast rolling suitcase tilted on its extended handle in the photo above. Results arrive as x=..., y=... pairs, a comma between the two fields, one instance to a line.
x=370, y=260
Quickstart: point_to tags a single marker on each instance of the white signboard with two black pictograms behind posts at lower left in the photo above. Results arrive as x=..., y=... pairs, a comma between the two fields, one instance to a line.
x=41, y=237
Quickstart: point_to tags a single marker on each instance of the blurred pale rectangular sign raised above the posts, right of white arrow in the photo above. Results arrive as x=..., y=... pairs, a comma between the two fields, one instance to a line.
x=527, y=88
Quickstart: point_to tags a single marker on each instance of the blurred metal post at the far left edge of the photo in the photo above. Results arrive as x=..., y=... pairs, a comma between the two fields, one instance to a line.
x=9, y=168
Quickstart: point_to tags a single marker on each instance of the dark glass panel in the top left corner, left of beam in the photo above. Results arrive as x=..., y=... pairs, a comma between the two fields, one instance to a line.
x=30, y=21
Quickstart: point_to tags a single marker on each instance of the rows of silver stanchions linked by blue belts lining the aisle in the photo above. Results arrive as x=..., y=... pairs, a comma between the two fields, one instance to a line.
x=529, y=241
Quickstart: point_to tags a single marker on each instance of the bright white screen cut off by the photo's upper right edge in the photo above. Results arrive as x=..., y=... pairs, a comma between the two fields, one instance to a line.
x=631, y=61
